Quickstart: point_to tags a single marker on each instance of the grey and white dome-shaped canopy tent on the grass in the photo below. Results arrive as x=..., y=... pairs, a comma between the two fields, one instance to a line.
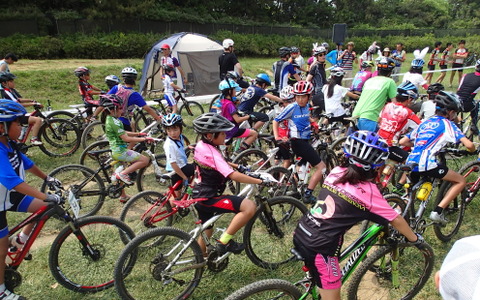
x=198, y=57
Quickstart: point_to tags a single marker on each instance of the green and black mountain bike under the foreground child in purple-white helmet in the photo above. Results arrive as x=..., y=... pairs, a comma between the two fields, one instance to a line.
x=394, y=270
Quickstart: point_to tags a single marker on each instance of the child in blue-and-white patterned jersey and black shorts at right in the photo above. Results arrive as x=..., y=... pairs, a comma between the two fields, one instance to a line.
x=429, y=138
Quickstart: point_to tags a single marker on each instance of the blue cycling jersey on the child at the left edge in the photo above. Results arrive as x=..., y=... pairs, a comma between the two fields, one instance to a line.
x=13, y=164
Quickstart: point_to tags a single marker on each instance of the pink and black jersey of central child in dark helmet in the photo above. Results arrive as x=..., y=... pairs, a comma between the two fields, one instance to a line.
x=213, y=171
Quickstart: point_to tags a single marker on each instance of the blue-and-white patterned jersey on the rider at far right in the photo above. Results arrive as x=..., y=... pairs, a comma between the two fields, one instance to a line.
x=428, y=138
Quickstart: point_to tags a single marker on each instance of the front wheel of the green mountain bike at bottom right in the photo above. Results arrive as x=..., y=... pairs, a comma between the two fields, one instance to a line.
x=373, y=278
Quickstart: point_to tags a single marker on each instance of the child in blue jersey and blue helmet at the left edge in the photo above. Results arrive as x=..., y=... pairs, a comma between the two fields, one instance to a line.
x=17, y=195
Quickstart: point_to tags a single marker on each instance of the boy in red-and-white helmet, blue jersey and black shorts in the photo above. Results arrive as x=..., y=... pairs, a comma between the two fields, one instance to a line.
x=298, y=116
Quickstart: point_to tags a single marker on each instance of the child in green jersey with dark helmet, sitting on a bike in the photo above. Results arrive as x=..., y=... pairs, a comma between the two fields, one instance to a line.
x=118, y=139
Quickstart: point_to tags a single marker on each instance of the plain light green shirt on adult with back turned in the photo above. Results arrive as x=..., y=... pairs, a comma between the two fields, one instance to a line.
x=375, y=93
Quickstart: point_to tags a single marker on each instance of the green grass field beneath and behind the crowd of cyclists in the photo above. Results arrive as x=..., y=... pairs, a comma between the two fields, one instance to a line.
x=54, y=80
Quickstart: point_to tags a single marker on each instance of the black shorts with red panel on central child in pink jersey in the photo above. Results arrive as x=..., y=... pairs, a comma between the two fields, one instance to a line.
x=218, y=205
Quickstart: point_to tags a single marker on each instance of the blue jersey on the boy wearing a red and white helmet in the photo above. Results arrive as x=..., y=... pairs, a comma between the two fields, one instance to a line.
x=298, y=120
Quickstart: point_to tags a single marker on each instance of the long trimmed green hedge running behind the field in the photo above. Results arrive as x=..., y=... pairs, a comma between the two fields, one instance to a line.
x=135, y=45
